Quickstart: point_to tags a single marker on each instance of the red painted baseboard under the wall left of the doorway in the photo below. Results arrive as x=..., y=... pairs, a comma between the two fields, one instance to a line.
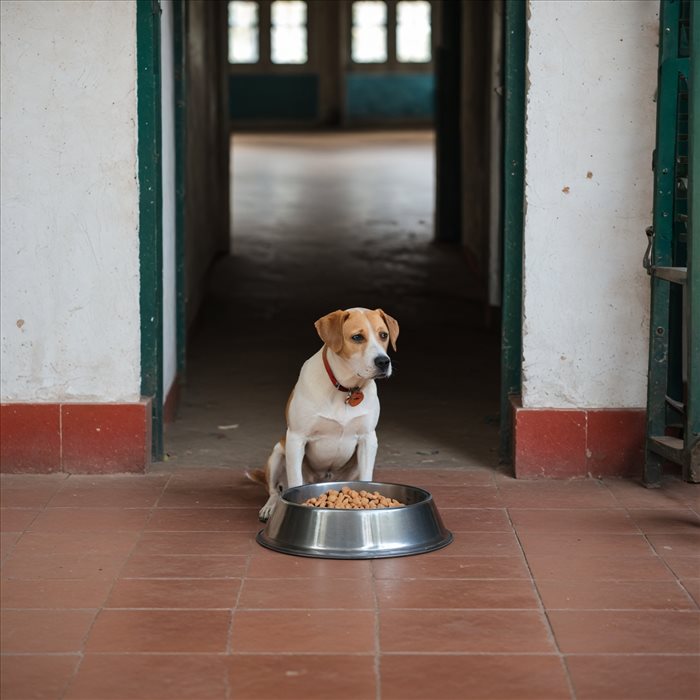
x=78, y=438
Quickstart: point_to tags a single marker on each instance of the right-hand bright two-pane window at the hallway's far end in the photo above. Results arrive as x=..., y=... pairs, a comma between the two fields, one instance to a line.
x=391, y=32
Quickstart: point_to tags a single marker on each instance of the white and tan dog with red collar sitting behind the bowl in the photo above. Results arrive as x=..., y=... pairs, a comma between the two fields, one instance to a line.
x=333, y=410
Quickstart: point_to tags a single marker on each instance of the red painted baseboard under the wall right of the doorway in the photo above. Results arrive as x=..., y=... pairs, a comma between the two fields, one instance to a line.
x=566, y=443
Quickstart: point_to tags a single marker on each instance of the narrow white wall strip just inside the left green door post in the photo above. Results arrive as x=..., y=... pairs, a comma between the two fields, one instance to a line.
x=168, y=152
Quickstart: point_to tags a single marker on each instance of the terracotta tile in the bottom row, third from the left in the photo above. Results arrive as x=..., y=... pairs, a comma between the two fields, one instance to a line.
x=301, y=677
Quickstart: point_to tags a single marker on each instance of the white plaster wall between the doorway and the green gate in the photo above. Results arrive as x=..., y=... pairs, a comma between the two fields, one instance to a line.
x=589, y=141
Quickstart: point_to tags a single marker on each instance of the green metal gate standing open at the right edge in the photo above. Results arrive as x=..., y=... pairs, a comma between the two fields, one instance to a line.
x=673, y=255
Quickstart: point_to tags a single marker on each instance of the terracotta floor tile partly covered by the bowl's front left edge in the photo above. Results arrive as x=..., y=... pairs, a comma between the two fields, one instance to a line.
x=267, y=564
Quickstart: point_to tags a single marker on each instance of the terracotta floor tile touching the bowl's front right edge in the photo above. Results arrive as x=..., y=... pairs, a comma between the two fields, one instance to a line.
x=436, y=566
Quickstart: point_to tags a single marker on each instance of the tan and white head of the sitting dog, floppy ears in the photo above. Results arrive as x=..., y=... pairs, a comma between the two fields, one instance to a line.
x=362, y=338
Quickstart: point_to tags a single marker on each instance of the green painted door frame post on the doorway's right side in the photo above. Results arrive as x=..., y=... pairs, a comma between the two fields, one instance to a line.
x=513, y=214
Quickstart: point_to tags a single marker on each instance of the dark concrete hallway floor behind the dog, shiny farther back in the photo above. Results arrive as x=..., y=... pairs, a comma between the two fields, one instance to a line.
x=327, y=221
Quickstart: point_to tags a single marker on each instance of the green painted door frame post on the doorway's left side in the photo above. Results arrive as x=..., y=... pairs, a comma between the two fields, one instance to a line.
x=150, y=211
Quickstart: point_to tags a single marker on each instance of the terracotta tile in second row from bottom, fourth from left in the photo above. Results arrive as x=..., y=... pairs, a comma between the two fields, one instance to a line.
x=467, y=631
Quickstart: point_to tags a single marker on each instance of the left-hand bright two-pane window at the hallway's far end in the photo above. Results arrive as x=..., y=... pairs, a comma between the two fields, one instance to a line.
x=267, y=32
